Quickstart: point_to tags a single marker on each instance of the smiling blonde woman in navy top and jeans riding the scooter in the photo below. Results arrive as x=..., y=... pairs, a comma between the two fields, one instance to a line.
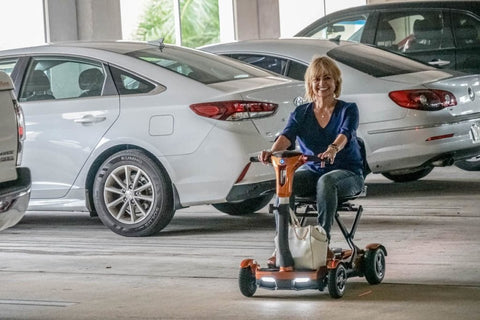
x=326, y=127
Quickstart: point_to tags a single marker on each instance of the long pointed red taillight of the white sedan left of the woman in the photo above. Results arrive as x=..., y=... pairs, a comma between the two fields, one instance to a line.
x=234, y=110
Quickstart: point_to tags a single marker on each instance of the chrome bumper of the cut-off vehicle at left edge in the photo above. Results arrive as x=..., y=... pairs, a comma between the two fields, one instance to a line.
x=14, y=198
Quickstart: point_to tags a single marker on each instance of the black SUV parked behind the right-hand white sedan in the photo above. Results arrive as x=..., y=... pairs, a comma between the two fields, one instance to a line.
x=444, y=34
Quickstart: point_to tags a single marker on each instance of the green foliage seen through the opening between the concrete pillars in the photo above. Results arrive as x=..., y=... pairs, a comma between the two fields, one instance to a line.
x=199, y=22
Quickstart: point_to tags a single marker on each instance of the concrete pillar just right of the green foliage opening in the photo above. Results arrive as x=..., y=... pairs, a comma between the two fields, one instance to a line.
x=256, y=19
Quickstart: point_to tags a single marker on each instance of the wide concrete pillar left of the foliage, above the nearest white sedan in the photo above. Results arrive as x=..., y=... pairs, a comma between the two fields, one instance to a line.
x=82, y=20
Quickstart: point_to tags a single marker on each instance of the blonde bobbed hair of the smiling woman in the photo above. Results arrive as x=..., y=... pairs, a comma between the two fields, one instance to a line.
x=319, y=66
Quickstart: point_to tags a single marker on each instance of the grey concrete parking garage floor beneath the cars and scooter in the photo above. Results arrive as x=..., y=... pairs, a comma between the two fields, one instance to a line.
x=69, y=266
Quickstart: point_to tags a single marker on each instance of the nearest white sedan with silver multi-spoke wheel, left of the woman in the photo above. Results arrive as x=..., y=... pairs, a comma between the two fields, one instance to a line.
x=133, y=131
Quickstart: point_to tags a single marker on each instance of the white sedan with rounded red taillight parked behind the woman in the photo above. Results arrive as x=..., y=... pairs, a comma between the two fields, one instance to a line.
x=412, y=116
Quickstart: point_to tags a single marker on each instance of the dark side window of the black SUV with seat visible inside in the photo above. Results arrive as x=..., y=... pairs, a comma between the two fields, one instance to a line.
x=409, y=31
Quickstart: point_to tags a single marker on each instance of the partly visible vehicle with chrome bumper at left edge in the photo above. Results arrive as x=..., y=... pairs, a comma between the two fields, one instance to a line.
x=15, y=181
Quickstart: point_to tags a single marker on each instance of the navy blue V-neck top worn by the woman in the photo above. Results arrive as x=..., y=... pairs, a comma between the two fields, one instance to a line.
x=303, y=127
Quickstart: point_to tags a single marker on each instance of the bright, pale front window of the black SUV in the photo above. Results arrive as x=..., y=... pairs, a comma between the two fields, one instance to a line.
x=347, y=28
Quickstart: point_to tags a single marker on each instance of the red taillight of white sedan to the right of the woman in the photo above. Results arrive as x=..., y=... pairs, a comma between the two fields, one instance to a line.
x=423, y=99
